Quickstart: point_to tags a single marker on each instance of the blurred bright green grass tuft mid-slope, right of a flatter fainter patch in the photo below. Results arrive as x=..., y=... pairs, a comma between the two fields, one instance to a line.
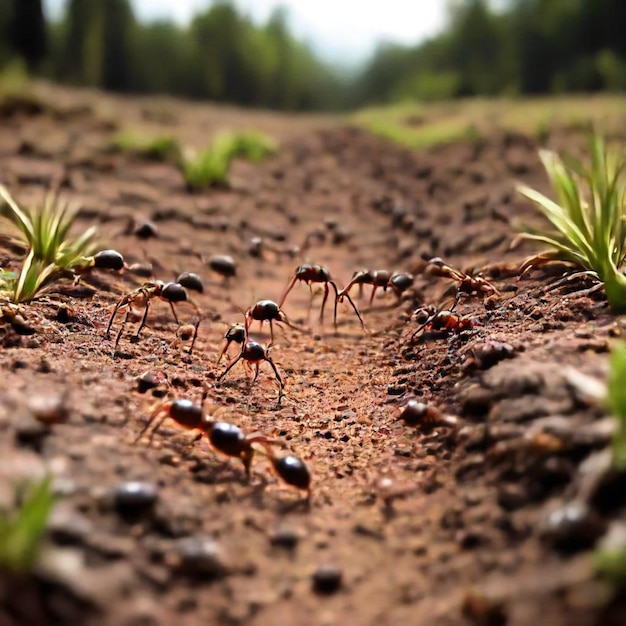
x=210, y=167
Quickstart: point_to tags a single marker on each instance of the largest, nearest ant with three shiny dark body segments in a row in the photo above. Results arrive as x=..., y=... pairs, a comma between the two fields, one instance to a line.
x=229, y=439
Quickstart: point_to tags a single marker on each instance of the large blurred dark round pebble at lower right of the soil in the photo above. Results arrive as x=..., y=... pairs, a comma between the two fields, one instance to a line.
x=572, y=527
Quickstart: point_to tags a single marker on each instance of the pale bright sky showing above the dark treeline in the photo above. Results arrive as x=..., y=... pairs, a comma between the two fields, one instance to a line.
x=342, y=31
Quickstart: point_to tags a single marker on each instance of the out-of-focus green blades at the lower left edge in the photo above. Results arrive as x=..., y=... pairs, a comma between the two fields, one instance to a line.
x=21, y=531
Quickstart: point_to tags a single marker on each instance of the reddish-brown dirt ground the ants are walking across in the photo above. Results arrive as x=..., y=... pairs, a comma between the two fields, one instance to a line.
x=487, y=518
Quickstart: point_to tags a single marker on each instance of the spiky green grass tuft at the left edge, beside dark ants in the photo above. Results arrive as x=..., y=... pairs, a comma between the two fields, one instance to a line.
x=51, y=249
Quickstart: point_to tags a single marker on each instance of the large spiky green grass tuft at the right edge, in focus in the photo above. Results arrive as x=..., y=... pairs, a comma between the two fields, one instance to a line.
x=588, y=220
